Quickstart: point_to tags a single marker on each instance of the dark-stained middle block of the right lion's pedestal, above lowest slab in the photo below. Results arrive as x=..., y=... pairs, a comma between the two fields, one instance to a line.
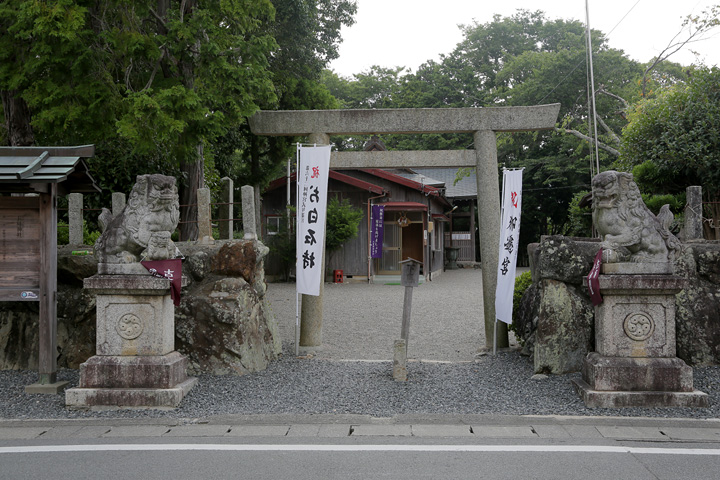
x=613, y=374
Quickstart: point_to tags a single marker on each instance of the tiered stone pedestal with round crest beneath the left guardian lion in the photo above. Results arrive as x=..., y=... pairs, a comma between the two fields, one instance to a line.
x=135, y=365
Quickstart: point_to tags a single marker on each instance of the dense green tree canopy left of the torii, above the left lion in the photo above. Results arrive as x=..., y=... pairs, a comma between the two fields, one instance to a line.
x=163, y=86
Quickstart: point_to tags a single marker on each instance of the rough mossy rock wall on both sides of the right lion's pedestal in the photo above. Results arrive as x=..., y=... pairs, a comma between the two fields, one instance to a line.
x=556, y=317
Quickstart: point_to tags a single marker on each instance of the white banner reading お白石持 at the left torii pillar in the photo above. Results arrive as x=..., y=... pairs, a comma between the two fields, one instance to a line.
x=312, y=176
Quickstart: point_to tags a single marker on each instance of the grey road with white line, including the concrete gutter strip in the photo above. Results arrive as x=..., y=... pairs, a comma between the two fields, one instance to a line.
x=356, y=447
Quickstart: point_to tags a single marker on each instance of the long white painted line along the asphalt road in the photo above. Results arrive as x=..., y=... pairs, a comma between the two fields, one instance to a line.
x=360, y=448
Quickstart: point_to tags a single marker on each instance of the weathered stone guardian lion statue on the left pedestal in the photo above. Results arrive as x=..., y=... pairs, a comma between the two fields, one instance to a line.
x=153, y=207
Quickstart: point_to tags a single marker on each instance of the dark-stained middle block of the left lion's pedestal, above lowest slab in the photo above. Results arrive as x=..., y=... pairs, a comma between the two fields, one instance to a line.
x=149, y=371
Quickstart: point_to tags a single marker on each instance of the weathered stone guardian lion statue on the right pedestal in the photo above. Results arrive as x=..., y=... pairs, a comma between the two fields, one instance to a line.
x=628, y=229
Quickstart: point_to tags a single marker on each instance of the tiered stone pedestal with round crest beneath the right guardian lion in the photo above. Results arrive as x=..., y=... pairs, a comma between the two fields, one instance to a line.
x=634, y=364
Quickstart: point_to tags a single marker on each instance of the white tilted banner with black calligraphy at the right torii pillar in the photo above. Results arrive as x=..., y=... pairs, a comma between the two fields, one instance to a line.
x=509, y=240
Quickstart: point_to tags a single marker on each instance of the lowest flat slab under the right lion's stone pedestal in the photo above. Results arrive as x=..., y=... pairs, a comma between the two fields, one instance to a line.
x=606, y=399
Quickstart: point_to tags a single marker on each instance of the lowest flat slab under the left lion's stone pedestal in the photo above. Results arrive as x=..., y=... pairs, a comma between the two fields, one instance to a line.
x=128, y=397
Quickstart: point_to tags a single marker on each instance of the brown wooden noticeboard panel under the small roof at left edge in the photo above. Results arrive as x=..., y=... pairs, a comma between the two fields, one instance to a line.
x=20, y=245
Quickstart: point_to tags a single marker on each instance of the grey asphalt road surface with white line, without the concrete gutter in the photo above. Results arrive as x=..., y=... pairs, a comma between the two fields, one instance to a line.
x=301, y=460
